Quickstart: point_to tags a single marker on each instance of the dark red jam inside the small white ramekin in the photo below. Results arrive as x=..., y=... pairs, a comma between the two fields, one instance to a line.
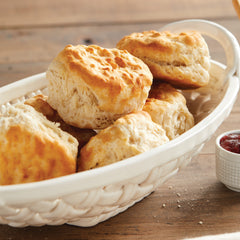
x=231, y=142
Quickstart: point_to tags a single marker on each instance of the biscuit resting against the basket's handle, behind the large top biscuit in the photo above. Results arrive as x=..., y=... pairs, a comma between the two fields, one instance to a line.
x=181, y=59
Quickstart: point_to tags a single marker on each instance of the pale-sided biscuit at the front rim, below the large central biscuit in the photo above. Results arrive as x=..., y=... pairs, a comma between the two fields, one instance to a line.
x=130, y=135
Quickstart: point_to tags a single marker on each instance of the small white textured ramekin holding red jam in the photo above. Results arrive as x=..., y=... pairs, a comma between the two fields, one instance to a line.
x=228, y=165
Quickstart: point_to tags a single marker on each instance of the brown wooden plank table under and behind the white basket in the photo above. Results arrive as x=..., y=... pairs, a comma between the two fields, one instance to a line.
x=192, y=203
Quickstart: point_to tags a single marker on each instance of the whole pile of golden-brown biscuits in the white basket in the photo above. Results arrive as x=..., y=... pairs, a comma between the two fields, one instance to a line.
x=103, y=106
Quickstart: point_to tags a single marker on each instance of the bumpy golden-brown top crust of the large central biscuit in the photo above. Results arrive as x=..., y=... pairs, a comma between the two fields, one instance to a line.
x=108, y=72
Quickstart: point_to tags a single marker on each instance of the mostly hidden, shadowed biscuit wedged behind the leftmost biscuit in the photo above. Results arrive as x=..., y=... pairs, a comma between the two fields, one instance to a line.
x=40, y=104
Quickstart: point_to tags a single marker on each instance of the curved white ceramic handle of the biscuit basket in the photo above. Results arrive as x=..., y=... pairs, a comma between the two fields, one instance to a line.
x=217, y=32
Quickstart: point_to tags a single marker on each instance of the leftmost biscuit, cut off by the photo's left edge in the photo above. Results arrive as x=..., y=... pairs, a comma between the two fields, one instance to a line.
x=33, y=148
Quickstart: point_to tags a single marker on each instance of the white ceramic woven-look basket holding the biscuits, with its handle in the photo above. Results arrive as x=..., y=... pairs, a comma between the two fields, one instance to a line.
x=87, y=198
